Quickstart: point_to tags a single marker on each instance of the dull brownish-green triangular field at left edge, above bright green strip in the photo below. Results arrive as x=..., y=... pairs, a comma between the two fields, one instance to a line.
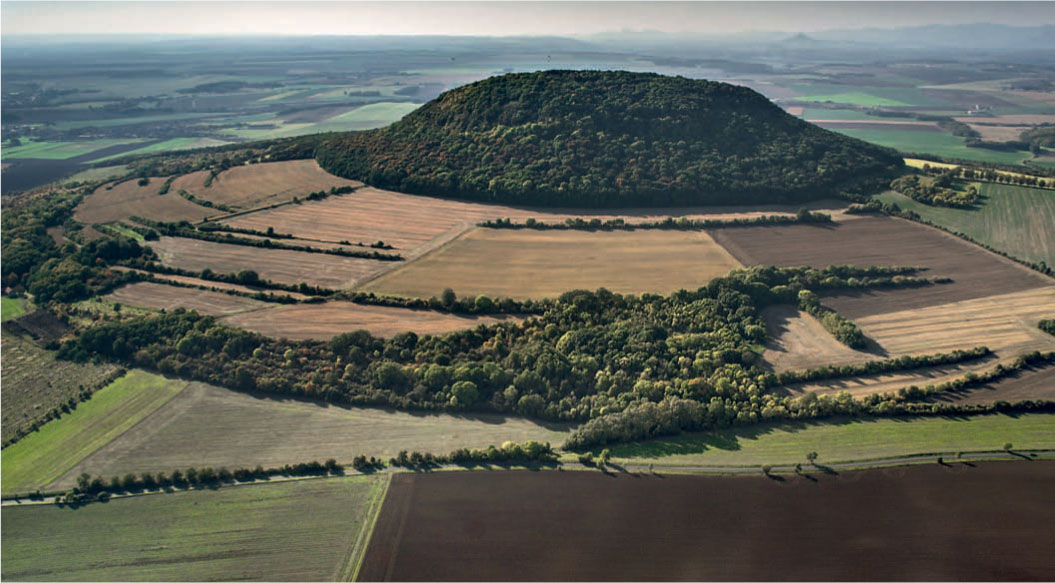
x=33, y=382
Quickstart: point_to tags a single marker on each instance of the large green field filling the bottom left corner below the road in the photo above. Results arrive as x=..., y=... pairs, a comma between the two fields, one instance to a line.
x=299, y=531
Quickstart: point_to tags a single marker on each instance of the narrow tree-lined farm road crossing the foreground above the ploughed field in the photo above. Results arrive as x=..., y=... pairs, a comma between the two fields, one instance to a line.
x=808, y=470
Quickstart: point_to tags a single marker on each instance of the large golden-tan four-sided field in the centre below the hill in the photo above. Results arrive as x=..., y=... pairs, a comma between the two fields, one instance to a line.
x=525, y=264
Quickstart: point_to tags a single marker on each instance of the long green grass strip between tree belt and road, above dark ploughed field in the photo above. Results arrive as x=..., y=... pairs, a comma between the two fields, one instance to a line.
x=845, y=441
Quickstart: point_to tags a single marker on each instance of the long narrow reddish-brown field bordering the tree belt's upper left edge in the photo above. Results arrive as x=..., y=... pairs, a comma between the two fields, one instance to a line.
x=322, y=322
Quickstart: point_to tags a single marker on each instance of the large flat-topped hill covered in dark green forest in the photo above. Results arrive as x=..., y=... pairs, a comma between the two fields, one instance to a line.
x=587, y=139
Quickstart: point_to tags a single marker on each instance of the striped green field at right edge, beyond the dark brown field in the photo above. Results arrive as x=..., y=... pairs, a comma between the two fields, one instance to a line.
x=1015, y=220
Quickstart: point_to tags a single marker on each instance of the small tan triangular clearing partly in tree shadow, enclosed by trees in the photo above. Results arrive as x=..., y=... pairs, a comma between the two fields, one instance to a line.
x=798, y=341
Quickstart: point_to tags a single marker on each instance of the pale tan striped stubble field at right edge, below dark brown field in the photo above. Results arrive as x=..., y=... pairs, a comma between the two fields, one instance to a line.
x=1007, y=324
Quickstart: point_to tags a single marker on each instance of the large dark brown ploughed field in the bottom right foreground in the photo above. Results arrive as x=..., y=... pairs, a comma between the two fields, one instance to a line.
x=989, y=522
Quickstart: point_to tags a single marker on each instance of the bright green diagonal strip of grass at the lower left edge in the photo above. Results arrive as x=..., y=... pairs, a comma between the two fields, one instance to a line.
x=42, y=458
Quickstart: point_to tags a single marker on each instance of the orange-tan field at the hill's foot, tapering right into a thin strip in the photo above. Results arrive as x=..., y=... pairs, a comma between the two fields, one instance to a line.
x=416, y=224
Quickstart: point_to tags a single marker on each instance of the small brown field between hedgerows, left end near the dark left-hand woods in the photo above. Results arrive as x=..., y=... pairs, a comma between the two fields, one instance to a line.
x=161, y=297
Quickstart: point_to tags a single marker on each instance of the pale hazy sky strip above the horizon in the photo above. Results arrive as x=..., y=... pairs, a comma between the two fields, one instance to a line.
x=493, y=18
